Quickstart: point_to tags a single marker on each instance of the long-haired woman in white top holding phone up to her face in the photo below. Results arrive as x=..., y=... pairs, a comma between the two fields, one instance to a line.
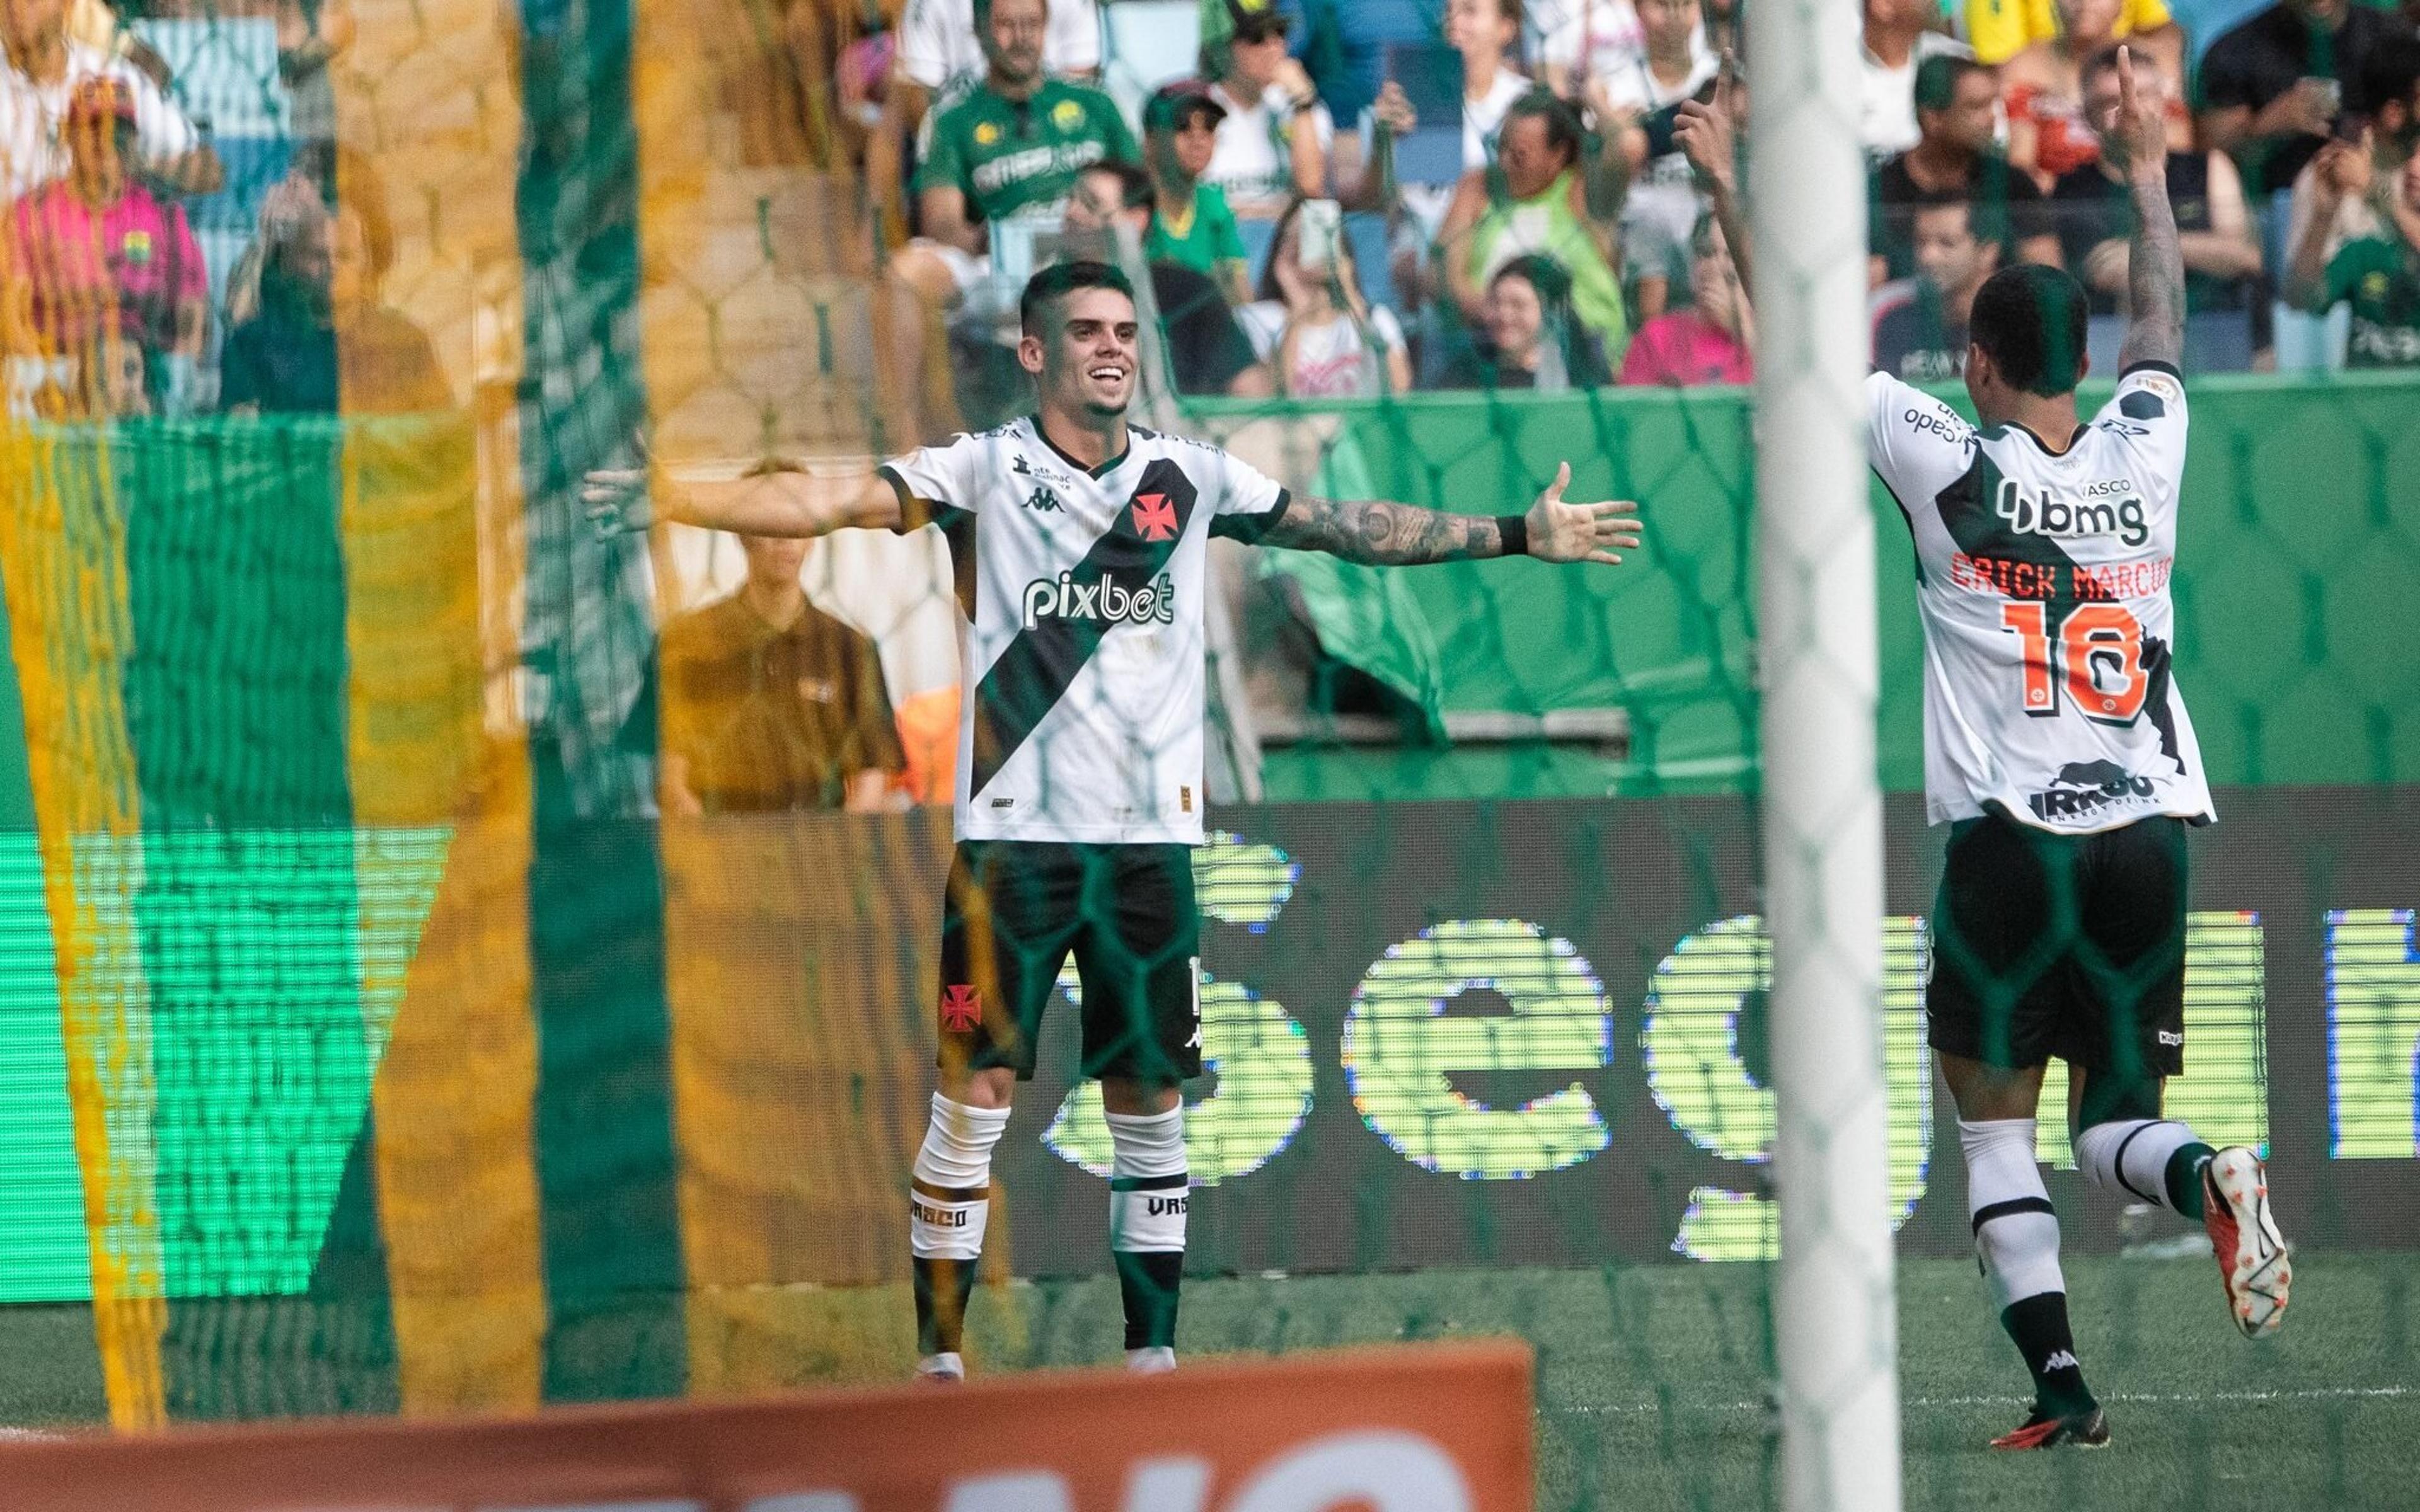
x=1325, y=340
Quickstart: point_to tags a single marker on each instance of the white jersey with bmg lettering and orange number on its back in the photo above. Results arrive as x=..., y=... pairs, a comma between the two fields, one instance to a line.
x=2044, y=587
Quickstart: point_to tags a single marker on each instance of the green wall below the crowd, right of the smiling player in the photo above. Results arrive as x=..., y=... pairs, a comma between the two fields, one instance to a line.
x=2298, y=543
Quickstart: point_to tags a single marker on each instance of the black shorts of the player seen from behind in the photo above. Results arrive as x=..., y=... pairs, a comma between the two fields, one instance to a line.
x=2063, y=947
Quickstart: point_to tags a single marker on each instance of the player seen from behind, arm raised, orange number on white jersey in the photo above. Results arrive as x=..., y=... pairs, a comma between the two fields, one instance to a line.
x=2058, y=751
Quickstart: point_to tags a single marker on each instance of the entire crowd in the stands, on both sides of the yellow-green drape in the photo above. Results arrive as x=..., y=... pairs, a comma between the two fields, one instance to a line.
x=1330, y=197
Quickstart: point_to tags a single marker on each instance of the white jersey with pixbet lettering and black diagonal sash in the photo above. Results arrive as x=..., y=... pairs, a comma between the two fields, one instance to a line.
x=1081, y=669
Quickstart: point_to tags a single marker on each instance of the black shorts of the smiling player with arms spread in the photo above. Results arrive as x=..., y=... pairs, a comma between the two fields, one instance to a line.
x=1124, y=911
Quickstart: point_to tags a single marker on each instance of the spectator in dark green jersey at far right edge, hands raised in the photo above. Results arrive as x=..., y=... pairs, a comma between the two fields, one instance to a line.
x=2380, y=275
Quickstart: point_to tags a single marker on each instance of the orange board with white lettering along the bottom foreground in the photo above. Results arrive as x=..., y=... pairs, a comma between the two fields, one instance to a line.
x=1427, y=1429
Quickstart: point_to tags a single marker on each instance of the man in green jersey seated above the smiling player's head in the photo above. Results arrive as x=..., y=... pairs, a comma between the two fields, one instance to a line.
x=1010, y=146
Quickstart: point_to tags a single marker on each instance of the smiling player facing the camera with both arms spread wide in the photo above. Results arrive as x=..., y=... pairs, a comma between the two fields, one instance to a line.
x=1081, y=553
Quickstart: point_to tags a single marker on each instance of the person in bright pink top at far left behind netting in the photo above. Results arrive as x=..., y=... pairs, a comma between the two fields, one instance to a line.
x=103, y=272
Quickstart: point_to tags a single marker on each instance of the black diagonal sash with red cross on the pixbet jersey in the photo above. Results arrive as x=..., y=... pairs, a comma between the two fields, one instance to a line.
x=1035, y=674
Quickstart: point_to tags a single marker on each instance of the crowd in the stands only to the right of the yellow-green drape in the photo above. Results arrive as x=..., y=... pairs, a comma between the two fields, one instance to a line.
x=1383, y=195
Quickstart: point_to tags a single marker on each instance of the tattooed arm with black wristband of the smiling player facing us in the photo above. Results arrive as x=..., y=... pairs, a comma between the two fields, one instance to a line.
x=1407, y=536
